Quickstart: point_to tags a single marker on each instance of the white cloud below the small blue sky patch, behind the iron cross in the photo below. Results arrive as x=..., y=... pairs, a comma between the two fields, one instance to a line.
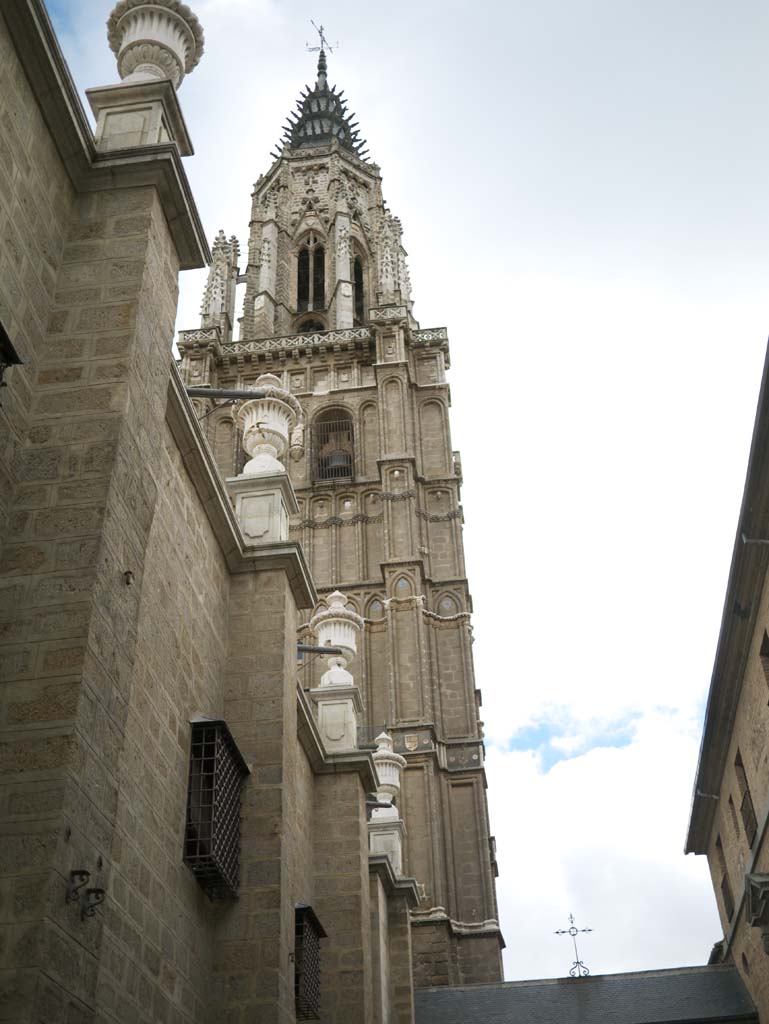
x=602, y=836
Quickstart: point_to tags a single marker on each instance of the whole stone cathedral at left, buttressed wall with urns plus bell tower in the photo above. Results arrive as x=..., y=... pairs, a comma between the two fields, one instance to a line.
x=188, y=814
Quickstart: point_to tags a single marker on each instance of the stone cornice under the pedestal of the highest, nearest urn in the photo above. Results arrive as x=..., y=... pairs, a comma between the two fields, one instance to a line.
x=89, y=170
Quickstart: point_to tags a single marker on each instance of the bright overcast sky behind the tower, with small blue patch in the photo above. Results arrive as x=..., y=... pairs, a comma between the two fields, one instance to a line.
x=583, y=187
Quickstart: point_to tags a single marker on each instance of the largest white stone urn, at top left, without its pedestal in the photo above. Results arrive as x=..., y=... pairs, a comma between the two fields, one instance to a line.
x=155, y=39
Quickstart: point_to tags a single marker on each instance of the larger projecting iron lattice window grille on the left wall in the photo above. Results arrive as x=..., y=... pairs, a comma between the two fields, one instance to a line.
x=212, y=839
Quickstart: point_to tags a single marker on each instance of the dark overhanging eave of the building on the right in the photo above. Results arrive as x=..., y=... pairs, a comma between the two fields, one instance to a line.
x=749, y=567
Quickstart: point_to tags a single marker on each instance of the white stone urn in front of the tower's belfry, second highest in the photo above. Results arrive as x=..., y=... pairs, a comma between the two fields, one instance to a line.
x=268, y=424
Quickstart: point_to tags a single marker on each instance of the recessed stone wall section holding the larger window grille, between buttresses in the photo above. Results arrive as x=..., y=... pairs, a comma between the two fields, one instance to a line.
x=158, y=923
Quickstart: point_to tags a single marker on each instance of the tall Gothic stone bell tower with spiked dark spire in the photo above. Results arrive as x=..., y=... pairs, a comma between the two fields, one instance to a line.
x=328, y=311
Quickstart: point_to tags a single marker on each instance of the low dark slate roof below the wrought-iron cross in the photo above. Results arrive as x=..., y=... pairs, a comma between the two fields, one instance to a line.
x=694, y=996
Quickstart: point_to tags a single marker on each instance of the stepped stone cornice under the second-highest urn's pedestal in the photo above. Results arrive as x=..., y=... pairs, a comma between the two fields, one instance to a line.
x=200, y=464
